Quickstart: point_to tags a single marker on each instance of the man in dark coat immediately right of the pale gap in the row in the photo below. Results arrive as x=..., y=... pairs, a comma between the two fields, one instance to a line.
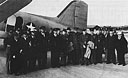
x=54, y=41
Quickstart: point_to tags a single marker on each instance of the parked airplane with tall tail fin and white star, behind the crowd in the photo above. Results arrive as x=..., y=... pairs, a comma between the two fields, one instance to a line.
x=73, y=15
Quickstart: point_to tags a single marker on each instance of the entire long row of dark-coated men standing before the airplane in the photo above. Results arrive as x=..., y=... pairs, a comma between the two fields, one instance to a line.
x=27, y=50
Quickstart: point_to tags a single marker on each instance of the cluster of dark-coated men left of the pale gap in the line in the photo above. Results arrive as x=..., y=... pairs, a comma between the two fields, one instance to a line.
x=26, y=51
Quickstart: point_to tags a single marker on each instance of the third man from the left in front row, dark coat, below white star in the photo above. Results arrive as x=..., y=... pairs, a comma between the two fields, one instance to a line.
x=33, y=52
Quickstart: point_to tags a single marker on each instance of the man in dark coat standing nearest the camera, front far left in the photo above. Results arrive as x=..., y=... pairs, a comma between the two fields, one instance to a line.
x=14, y=58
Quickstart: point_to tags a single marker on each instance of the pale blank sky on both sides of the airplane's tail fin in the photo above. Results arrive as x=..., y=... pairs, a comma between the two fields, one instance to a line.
x=100, y=12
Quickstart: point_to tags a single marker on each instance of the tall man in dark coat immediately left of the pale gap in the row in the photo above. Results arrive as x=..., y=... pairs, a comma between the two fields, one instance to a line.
x=42, y=36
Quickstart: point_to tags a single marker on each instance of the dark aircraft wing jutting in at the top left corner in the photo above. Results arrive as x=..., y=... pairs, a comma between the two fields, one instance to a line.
x=9, y=7
